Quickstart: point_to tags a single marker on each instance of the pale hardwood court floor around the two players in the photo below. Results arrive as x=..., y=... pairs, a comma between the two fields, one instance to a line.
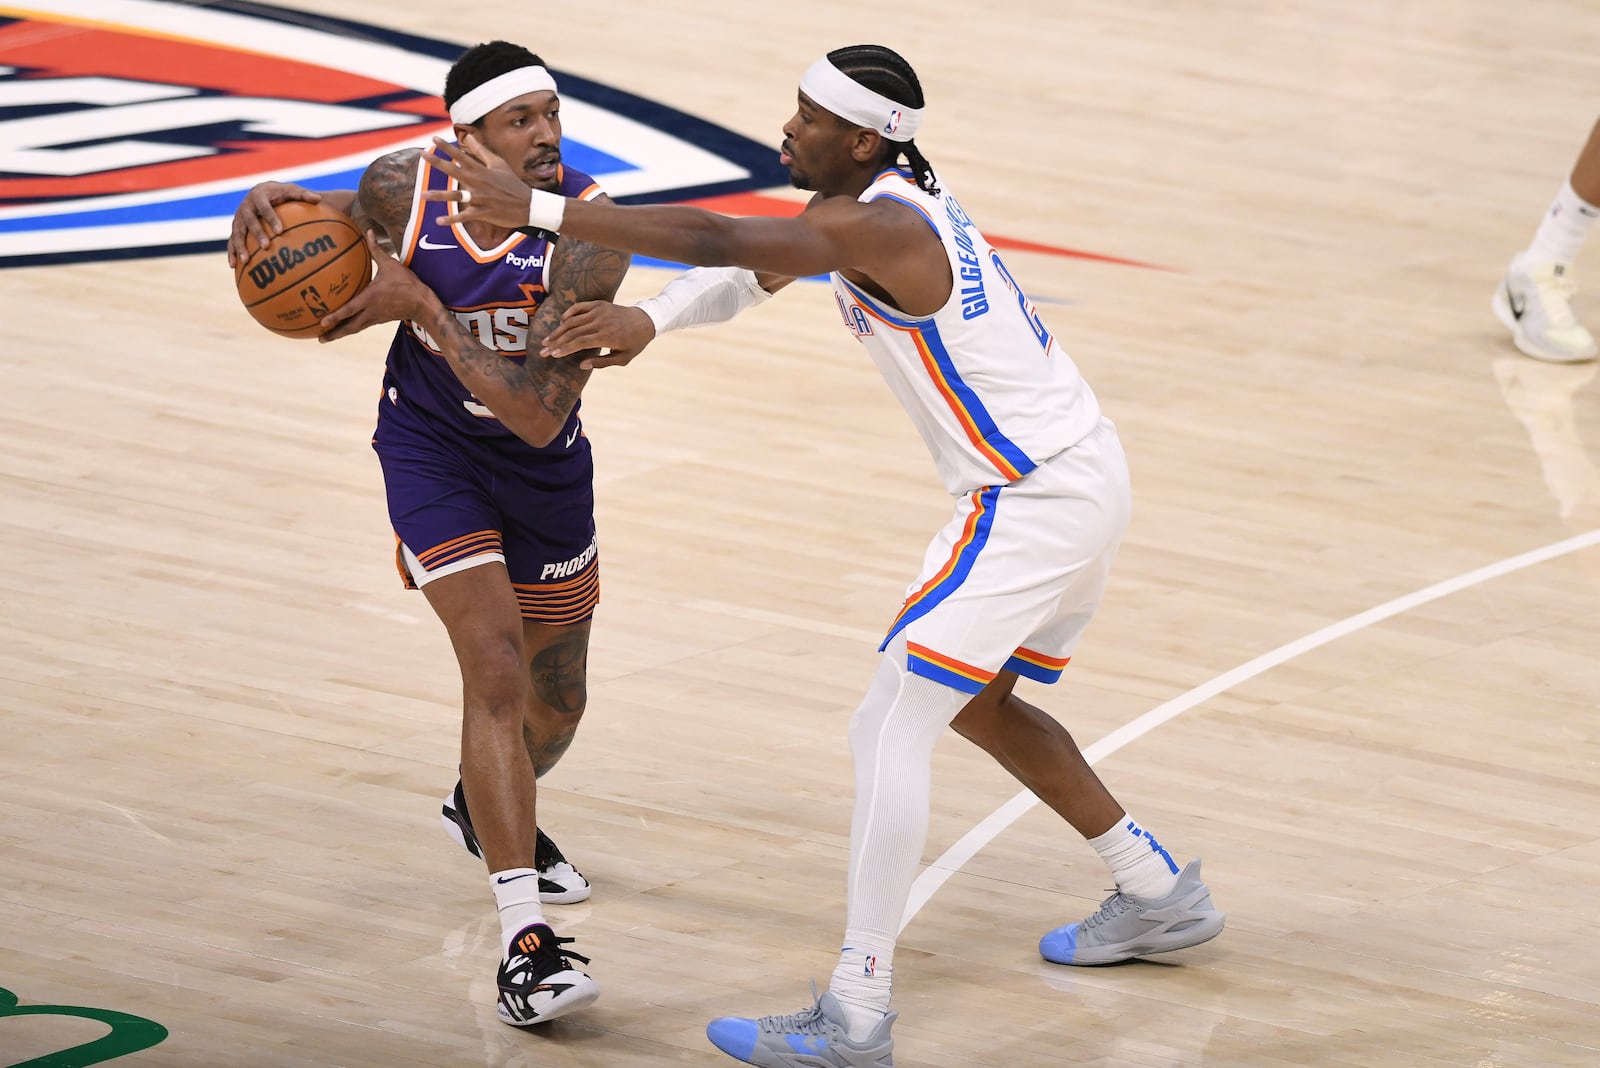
x=225, y=730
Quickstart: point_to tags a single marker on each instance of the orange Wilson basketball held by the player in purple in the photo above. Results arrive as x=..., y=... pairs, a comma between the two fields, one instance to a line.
x=316, y=266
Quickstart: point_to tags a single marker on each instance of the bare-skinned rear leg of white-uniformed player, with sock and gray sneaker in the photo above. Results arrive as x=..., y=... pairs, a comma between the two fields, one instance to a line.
x=1158, y=907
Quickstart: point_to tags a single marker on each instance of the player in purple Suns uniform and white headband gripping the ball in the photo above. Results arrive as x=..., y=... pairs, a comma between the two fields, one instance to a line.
x=490, y=482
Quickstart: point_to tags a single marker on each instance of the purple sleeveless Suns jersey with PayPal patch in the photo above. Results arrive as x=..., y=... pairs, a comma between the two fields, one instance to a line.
x=494, y=293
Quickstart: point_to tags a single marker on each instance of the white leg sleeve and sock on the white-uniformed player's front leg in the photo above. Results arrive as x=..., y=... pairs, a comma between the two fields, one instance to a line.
x=892, y=739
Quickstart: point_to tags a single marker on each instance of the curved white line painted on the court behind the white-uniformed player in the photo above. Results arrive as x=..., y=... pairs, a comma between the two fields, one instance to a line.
x=935, y=875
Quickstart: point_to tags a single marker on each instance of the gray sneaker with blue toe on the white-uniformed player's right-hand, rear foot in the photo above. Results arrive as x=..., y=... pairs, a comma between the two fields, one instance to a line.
x=1137, y=927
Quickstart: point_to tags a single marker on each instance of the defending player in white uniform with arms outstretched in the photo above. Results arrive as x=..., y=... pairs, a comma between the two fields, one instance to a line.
x=1009, y=586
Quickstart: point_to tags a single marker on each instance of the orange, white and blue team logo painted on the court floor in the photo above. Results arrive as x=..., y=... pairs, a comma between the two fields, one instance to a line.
x=134, y=127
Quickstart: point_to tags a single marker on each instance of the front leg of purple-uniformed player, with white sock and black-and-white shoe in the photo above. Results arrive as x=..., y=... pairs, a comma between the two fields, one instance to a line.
x=537, y=978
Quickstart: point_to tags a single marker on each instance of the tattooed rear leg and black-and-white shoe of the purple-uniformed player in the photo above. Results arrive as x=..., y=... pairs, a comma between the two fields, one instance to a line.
x=558, y=674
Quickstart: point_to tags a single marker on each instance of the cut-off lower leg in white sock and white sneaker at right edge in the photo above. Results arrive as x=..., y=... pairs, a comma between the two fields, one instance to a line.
x=1535, y=298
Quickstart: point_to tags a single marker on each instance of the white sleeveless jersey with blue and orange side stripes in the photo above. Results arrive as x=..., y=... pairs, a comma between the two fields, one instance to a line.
x=983, y=380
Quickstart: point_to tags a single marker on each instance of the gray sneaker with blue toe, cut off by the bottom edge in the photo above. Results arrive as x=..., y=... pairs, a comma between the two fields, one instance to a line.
x=812, y=1038
